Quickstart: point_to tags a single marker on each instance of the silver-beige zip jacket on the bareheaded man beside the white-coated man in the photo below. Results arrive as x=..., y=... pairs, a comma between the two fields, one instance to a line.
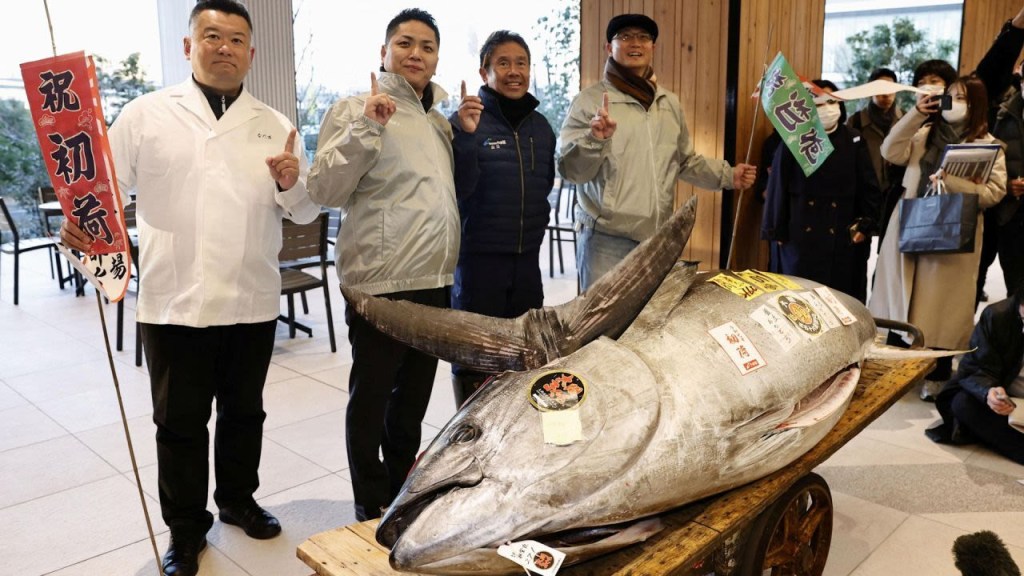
x=400, y=223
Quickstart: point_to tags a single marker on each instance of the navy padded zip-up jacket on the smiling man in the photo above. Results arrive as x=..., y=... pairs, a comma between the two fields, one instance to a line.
x=503, y=177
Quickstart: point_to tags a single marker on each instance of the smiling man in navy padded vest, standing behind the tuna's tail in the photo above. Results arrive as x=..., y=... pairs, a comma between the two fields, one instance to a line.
x=505, y=168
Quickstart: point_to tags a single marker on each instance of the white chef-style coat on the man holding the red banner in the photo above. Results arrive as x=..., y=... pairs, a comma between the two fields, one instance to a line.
x=208, y=212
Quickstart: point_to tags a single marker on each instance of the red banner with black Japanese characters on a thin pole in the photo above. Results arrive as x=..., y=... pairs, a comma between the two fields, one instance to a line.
x=64, y=98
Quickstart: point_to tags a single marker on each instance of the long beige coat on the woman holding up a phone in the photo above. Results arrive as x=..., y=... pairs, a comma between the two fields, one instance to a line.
x=934, y=293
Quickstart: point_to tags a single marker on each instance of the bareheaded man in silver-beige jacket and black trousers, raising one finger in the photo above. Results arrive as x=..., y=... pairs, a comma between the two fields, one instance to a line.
x=386, y=159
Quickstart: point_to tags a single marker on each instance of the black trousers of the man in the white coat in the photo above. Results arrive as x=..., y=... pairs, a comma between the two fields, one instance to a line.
x=189, y=368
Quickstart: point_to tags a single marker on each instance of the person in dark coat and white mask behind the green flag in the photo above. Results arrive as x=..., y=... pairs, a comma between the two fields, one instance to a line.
x=820, y=227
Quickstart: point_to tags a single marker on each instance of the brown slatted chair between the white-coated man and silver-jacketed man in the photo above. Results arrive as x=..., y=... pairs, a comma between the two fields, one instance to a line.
x=301, y=242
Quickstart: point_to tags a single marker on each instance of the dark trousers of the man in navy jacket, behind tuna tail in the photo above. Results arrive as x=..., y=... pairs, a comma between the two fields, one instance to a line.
x=498, y=285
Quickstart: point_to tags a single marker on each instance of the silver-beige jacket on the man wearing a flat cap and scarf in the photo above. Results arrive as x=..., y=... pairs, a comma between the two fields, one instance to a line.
x=628, y=182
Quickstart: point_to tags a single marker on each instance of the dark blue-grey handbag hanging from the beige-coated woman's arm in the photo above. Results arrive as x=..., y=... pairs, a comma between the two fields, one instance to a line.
x=938, y=223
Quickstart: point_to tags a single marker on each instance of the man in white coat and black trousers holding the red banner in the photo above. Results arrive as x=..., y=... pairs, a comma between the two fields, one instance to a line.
x=215, y=171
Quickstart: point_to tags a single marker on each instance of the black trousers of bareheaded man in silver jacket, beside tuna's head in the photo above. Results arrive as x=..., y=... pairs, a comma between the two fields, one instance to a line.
x=389, y=391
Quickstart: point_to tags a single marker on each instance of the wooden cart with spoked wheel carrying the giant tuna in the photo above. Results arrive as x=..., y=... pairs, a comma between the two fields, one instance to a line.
x=782, y=522
